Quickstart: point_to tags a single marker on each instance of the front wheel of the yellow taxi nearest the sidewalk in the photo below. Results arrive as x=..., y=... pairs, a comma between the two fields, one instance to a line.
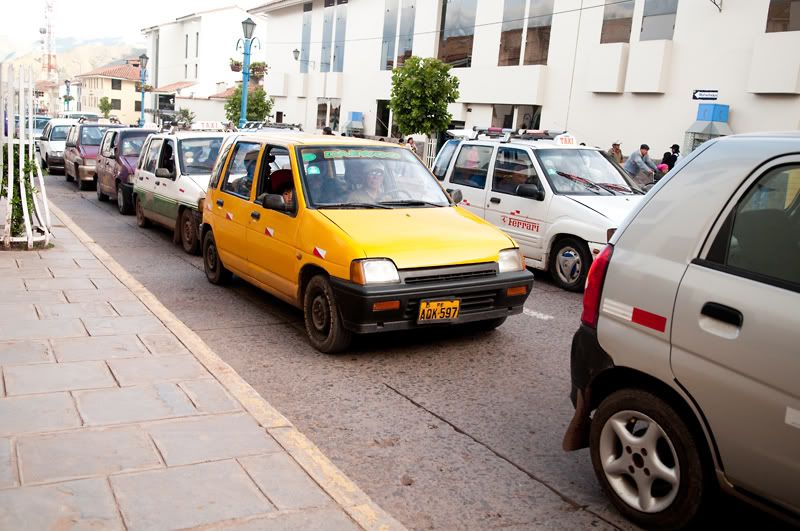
x=324, y=326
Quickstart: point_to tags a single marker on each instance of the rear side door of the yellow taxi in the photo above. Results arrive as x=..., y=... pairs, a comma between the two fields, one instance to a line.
x=233, y=206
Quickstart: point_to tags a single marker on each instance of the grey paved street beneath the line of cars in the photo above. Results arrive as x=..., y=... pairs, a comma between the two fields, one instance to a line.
x=442, y=429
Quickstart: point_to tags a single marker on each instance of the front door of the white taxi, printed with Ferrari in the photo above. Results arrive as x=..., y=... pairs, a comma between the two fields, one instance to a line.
x=523, y=218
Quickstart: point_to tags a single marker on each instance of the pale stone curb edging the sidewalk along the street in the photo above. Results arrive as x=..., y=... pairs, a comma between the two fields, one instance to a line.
x=344, y=491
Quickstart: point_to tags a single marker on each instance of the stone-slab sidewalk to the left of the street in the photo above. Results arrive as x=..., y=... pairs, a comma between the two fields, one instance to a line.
x=114, y=415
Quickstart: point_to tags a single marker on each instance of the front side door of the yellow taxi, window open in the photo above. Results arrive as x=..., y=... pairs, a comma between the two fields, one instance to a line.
x=272, y=235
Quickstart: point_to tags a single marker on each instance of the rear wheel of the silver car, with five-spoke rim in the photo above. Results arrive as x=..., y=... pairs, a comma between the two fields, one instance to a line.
x=647, y=460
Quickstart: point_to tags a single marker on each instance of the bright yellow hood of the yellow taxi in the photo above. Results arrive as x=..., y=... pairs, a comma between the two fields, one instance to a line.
x=421, y=237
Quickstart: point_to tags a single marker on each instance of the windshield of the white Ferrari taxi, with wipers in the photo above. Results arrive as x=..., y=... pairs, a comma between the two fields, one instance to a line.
x=583, y=172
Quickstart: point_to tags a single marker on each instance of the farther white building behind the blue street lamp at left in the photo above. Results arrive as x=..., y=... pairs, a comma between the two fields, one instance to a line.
x=190, y=60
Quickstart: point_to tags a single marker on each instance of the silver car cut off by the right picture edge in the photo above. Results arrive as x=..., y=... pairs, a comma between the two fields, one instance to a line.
x=687, y=351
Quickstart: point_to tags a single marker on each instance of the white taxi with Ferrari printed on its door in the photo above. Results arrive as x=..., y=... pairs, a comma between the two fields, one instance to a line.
x=558, y=200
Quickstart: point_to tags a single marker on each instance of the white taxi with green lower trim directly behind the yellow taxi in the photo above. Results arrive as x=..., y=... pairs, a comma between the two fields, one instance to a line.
x=171, y=178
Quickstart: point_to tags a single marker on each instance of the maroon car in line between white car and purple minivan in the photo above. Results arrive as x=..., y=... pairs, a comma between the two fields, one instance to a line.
x=80, y=155
